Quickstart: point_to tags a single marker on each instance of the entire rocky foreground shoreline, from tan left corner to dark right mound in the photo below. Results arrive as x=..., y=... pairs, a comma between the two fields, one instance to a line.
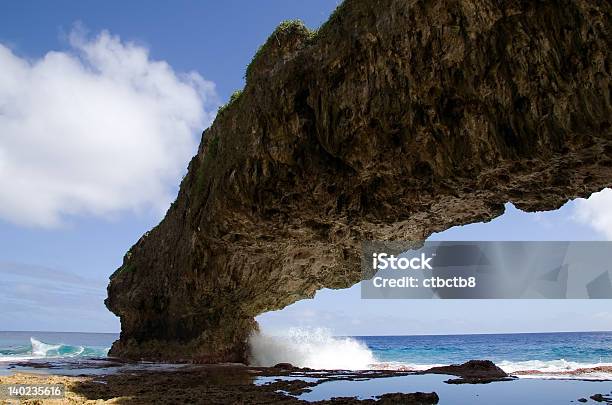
x=239, y=384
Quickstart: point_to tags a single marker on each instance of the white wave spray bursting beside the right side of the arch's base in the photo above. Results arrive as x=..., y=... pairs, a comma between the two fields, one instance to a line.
x=314, y=348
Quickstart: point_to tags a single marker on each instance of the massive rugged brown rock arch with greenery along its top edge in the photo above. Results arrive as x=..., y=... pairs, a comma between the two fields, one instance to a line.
x=398, y=118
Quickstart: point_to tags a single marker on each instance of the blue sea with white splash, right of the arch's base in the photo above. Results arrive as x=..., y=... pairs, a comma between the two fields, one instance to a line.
x=529, y=354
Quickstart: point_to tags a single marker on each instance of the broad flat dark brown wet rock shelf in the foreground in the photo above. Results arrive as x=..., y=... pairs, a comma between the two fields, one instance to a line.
x=226, y=384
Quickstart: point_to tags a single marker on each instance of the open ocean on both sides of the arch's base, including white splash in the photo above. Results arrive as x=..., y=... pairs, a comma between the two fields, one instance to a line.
x=529, y=355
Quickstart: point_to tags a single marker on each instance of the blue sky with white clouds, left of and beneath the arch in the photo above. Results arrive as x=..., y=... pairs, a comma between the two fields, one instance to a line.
x=88, y=162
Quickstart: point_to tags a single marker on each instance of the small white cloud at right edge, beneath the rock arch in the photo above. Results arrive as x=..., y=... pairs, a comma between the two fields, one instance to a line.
x=596, y=211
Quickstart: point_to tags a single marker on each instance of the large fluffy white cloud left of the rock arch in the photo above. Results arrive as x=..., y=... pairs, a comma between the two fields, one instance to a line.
x=95, y=130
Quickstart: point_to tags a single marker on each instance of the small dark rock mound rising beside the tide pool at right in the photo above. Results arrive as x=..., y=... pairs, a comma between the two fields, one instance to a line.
x=472, y=372
